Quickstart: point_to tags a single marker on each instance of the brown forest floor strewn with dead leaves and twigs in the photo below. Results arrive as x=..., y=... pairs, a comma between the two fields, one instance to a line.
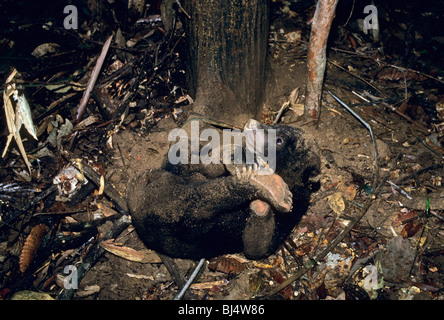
x=374, y=229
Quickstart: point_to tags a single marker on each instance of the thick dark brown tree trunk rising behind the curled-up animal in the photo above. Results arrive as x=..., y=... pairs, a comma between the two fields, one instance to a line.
x=226, y=63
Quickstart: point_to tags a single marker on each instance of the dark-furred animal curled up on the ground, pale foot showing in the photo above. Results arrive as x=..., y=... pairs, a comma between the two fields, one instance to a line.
x=194, y=210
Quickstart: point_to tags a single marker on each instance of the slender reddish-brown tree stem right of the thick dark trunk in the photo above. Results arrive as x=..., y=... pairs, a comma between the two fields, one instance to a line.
x=317, y=58
